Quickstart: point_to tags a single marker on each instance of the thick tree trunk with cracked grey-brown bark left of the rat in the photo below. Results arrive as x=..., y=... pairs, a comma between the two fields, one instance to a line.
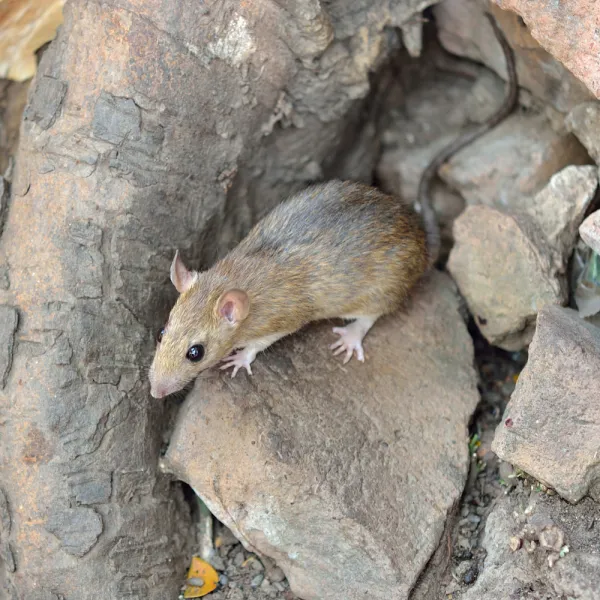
x=151, y=125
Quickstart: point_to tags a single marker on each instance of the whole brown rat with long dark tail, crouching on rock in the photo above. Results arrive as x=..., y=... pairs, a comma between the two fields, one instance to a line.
x=335, y=250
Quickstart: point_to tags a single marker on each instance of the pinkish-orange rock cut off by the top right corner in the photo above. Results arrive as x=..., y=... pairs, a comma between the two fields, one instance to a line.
x=568, y=30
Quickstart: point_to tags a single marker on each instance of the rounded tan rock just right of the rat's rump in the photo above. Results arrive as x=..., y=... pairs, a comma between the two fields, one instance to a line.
x=502, y=274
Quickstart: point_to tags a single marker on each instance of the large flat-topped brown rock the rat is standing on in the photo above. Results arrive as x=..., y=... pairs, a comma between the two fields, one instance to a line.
x=344, y=475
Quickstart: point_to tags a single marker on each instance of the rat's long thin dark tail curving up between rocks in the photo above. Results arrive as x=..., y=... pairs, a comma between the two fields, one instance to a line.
x=424, y=193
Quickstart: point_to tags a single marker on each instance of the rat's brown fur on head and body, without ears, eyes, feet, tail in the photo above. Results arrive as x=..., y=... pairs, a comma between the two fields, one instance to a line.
x=337, y=249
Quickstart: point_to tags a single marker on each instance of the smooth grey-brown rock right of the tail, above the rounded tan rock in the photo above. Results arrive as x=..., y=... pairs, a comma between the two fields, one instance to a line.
x=512, y=162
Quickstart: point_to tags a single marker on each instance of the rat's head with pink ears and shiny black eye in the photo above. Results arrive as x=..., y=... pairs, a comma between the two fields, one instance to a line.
x=201, y=329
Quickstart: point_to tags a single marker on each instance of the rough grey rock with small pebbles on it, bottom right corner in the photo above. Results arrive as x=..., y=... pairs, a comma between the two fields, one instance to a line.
x=525, y=573
